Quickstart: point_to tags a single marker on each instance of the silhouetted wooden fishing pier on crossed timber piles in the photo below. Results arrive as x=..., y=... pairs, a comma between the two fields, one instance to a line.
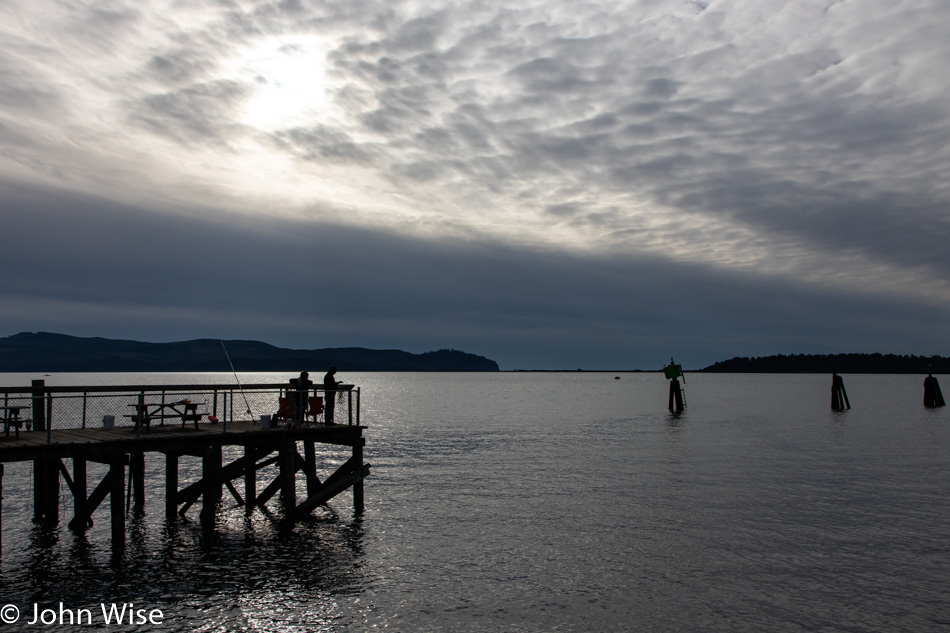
x=53, y=424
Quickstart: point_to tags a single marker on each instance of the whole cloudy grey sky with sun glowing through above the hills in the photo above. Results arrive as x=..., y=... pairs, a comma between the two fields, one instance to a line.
x=552, y=184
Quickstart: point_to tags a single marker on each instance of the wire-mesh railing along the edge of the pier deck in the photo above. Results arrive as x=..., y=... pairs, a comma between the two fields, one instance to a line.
x=45, y=408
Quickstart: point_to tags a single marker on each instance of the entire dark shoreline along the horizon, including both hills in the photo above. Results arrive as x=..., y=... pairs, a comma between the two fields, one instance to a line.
x=45, y=352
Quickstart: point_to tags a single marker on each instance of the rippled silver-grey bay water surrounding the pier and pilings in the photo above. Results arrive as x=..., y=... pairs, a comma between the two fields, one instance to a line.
x=544, y=502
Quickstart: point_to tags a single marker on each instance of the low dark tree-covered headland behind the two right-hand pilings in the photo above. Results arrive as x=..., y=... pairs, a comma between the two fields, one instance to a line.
x=842, y=363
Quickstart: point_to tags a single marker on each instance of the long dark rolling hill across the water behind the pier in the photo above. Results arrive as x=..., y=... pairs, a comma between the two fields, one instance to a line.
x=43, y=351
